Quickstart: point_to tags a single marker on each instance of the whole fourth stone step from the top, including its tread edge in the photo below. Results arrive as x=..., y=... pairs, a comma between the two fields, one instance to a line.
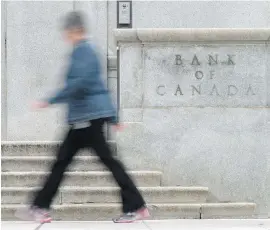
x=83, y=195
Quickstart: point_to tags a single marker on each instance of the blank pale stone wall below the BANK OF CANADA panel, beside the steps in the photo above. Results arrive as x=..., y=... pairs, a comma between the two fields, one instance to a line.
x=223, y=144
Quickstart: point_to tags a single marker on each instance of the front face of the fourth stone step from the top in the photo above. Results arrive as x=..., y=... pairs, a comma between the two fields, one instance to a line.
x=109, y=196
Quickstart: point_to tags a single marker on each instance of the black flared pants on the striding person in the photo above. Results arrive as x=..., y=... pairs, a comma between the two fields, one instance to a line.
x=88, y=137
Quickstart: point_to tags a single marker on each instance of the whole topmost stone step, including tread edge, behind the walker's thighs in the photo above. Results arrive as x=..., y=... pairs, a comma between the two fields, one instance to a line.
x=33, y=148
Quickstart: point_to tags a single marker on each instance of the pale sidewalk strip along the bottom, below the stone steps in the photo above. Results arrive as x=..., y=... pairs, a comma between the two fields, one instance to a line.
x=145, y=225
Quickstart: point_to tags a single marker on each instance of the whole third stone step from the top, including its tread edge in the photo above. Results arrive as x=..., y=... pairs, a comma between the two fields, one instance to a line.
x=93, y=179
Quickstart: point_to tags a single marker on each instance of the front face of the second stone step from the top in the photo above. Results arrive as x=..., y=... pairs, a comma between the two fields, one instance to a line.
x=41, y=166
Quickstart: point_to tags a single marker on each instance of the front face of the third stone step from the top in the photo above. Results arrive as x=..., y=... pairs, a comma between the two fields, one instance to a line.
x=77, y=180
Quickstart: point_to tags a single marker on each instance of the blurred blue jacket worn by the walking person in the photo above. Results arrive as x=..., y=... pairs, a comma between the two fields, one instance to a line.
x=85, y=93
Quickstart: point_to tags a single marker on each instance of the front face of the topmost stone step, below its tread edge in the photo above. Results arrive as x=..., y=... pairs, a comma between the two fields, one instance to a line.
x=42, y=150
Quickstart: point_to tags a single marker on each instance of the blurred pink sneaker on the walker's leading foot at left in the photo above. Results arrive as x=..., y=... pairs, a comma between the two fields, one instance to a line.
x=34, y=214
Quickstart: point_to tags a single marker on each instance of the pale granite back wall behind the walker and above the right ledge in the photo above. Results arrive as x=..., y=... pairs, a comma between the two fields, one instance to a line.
x=34, y=52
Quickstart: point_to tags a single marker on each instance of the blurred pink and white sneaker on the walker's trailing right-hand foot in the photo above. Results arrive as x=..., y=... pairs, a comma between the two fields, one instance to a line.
x=131, y=217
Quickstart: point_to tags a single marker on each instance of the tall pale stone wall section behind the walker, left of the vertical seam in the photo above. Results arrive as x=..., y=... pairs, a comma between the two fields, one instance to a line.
x=34, y=60
